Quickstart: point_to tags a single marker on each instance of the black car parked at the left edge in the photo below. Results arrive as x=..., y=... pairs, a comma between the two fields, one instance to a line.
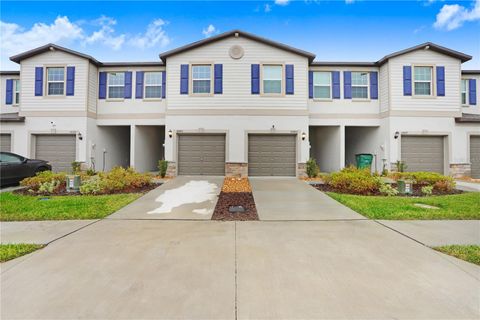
x=14, y=168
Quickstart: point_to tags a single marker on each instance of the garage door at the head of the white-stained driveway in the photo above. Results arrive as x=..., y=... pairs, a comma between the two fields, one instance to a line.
x=201, y=154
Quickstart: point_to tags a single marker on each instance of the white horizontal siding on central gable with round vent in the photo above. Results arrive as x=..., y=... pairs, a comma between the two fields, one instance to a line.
x=237, y=76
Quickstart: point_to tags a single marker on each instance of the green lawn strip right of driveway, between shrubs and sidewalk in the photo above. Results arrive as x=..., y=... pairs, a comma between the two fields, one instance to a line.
x=464, y=206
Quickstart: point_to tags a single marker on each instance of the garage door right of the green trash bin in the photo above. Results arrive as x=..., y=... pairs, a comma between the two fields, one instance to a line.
x=423, y=153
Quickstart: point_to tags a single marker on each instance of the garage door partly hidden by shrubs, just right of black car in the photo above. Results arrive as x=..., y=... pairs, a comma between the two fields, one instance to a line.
x=59, y=150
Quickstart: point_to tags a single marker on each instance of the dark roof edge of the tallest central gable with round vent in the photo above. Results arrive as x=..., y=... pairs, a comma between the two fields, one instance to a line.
x=236, y=33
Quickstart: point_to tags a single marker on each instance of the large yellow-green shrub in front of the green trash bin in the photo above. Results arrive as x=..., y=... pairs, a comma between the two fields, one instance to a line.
x=353, y=180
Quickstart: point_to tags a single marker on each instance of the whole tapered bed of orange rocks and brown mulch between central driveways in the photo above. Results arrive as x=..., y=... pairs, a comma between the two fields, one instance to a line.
x=235, y=202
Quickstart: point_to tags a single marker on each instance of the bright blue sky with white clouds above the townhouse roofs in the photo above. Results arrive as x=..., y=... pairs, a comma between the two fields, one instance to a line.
x=342, y=30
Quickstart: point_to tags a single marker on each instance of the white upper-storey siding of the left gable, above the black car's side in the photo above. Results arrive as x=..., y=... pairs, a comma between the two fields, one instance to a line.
x=64, y=103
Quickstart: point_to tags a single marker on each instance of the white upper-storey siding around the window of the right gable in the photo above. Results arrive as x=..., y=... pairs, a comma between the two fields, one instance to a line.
x=451, y=100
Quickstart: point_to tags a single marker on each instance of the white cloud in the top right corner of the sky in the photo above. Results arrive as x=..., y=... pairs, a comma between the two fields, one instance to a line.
x=453, y=16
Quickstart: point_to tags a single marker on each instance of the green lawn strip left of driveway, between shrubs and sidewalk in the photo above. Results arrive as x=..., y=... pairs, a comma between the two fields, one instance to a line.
x=26, y=208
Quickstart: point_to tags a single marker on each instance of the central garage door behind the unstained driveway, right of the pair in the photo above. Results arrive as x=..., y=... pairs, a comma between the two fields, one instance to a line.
x=272, y=155
